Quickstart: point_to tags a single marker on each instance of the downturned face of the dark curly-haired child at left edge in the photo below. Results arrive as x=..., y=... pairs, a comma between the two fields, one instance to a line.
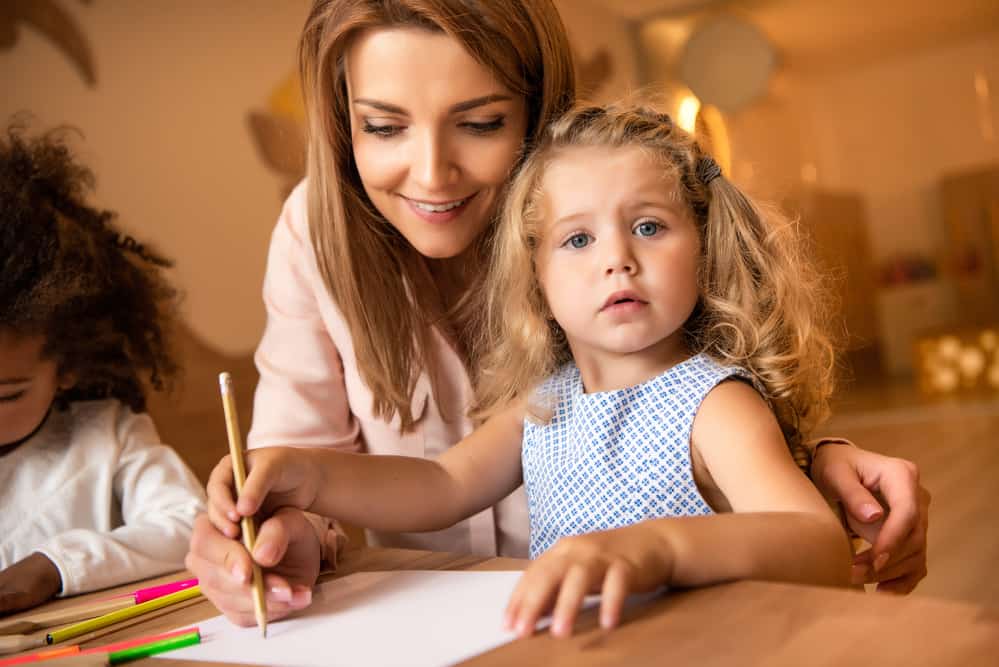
x=28, y=385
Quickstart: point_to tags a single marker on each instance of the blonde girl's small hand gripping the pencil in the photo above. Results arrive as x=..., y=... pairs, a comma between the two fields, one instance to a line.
x=275, y=477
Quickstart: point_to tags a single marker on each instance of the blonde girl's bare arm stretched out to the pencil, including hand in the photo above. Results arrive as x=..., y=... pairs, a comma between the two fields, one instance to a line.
x=390, y=493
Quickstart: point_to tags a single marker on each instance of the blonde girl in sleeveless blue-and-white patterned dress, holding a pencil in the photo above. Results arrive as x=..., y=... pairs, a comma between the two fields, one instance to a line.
x=656, y=344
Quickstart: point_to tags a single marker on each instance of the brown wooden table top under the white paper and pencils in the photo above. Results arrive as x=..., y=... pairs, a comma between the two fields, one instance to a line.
x=744, y=623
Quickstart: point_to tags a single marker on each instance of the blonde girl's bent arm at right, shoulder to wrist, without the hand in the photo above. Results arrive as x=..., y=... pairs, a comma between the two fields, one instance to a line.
x=780, y=528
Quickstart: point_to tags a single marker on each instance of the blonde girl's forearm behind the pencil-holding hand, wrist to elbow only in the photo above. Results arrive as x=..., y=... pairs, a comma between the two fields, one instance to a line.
x=386, y=493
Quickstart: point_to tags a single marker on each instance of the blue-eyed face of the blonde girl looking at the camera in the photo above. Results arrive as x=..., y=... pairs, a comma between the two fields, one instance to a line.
x=618, y=259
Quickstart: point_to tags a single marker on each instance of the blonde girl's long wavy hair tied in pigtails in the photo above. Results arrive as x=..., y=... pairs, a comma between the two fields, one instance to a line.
x=762, y=305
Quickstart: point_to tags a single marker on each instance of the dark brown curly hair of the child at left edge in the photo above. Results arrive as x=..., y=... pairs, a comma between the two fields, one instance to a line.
x=96, y=296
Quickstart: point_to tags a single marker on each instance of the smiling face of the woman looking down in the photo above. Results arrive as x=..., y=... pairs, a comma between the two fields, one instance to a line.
x=435, y=135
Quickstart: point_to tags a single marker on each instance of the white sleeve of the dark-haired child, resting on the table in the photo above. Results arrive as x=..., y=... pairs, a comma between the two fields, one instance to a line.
x=157, y=497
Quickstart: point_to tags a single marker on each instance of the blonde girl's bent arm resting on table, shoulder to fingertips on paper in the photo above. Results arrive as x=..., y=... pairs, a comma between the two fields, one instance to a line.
x=780, y=528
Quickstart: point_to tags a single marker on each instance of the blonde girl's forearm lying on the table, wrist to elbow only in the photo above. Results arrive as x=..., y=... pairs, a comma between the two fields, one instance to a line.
x=794, y=547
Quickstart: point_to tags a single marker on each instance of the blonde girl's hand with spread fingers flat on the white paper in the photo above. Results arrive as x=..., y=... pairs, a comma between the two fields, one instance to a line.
x=613, y=563
